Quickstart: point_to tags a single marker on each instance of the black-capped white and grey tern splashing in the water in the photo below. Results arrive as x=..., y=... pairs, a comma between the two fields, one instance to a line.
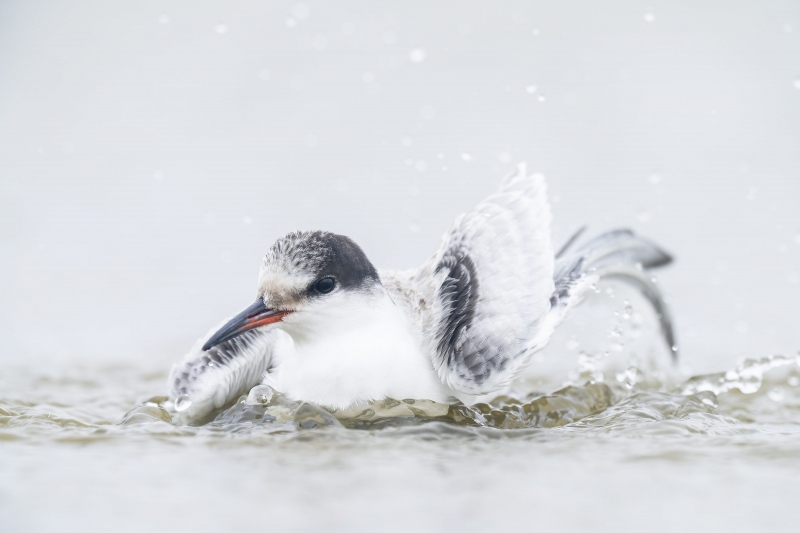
x=330, y=329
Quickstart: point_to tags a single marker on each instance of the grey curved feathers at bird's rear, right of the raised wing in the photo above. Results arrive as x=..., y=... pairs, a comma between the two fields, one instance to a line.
x=618, y=254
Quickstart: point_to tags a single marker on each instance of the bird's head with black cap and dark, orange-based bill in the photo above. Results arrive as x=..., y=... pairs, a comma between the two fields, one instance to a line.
x=308, y=280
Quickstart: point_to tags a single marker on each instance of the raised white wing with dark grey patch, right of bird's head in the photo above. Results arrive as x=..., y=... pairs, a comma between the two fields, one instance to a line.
x=490, y=283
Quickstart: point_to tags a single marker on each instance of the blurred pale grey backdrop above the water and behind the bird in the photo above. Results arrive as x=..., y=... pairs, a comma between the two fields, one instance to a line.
x=150, y=152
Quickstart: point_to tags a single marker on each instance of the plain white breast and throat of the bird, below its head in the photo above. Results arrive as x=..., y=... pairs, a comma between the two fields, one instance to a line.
x=353, y=348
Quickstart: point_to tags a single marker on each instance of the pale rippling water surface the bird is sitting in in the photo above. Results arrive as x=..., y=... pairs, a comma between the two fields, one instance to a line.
x=86, y=449
